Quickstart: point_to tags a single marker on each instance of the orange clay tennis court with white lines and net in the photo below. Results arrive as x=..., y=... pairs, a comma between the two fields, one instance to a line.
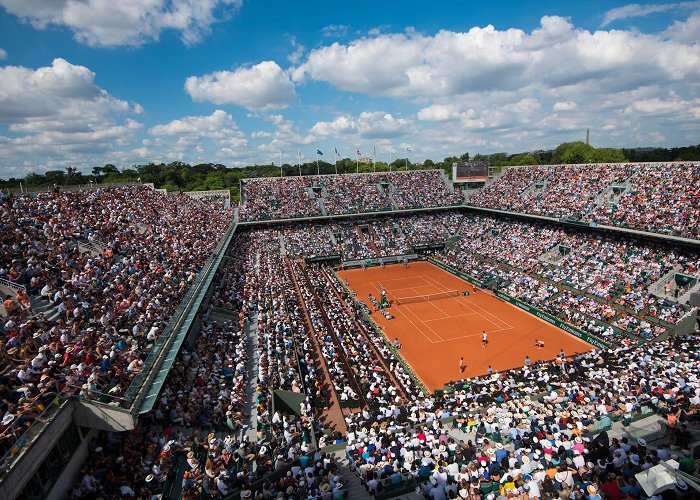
x=435, y=333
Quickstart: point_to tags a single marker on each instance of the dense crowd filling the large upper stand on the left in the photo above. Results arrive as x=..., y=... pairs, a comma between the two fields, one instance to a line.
x=107, y=303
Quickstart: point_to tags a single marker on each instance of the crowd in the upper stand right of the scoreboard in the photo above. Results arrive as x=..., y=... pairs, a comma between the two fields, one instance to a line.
x=658, y=198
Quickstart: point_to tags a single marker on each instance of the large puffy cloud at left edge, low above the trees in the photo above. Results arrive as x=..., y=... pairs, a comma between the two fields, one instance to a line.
x=58, y=113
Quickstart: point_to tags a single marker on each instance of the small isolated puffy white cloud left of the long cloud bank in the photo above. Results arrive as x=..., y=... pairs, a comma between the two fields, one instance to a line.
x=263, y=86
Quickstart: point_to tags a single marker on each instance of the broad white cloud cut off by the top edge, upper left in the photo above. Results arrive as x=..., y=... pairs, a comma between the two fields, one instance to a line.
x=124, y=22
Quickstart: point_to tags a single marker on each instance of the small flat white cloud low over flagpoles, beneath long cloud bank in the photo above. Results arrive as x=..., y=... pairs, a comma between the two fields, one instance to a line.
x=368, y=125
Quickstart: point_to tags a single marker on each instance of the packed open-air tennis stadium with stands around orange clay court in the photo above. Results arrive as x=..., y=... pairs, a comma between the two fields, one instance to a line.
x=530, y=331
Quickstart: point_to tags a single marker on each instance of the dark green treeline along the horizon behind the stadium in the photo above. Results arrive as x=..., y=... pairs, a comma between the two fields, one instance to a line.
x=178, y=176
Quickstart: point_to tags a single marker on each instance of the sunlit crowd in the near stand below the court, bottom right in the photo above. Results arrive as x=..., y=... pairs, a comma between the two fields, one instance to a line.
x=504, y=442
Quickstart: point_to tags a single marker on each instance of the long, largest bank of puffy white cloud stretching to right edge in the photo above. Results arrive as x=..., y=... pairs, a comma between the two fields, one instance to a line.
x=556, y=54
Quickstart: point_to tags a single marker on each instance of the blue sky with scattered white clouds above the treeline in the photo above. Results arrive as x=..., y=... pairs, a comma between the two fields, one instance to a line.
x=88, y=82
